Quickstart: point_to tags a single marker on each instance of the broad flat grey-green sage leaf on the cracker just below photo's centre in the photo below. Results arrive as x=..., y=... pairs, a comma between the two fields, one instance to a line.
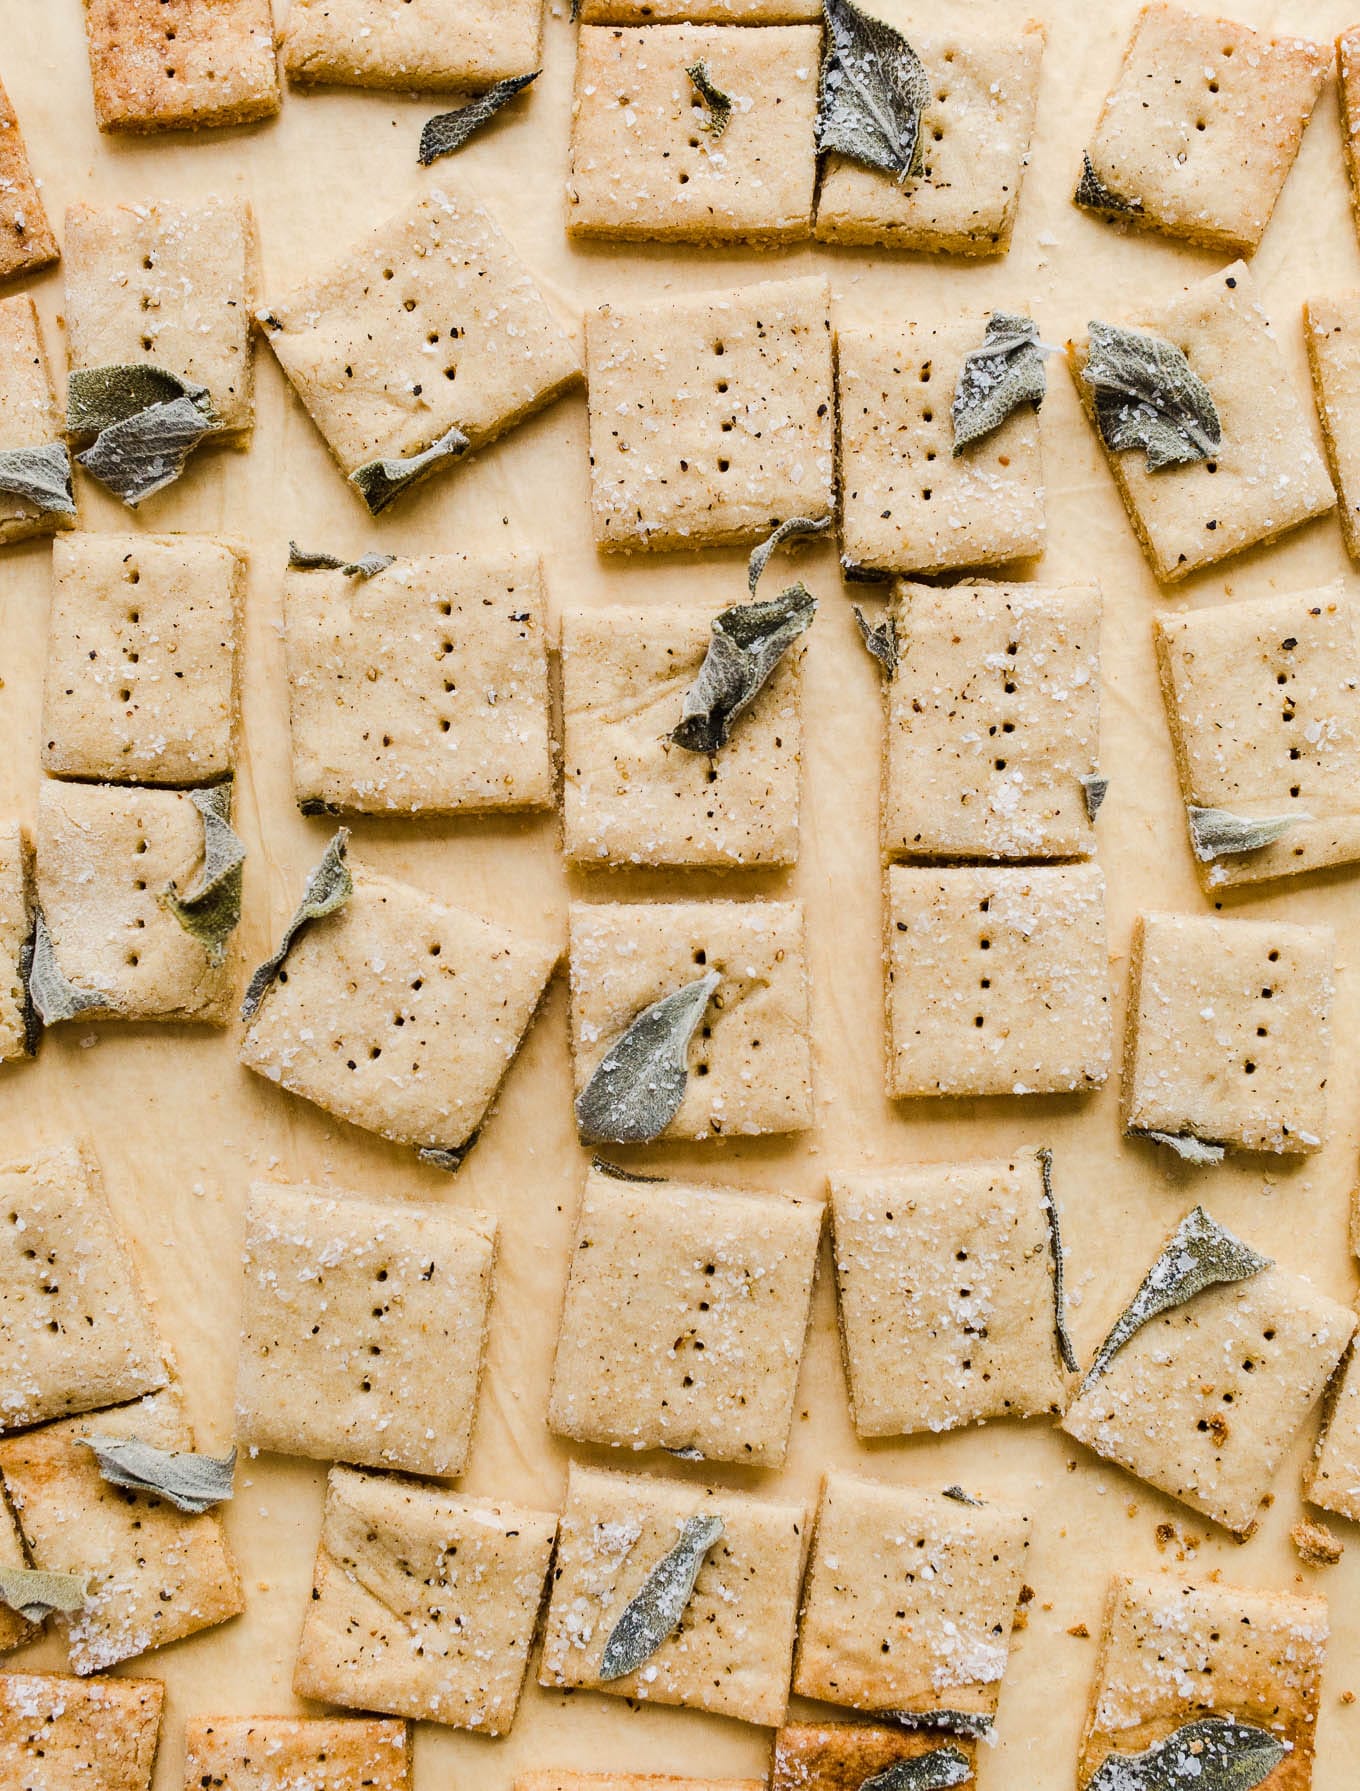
x=641, y=1081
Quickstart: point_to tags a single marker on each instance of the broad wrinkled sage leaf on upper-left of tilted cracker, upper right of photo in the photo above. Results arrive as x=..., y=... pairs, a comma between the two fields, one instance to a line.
x=1148, y=397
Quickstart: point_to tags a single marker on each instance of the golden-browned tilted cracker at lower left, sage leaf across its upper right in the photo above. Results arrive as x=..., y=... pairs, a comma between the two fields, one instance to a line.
x=153, y=1573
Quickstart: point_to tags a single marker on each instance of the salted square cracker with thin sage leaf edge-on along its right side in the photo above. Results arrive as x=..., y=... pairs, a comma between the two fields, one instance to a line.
x=947, y=1296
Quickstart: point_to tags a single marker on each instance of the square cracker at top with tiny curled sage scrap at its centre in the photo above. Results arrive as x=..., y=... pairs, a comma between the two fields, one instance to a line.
x=646, y=166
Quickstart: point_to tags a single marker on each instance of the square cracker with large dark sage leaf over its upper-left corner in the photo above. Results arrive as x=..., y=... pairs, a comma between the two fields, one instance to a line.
x=976, y=133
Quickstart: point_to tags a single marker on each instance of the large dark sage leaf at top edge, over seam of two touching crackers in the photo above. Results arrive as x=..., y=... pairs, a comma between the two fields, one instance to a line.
x=874, y=94
